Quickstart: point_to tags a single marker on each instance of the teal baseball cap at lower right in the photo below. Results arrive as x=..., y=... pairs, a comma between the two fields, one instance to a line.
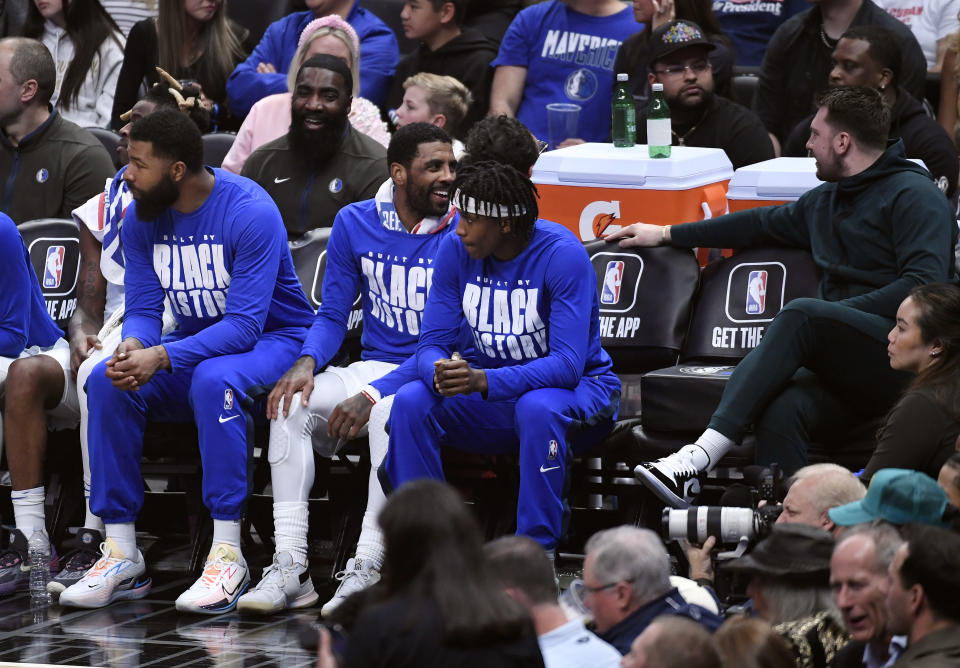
x=900, y=497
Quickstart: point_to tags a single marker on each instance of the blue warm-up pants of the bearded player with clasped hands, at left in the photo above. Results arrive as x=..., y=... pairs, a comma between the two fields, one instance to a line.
x=210, y=394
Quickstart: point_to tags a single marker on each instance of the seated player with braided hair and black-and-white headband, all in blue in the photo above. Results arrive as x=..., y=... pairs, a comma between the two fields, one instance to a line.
x=536, y=381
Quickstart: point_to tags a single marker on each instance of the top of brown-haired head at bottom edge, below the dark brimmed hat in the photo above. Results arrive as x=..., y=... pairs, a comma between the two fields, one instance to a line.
x=748, y=642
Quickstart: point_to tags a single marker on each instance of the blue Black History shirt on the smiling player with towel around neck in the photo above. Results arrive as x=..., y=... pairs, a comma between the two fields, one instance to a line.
x=371, y=253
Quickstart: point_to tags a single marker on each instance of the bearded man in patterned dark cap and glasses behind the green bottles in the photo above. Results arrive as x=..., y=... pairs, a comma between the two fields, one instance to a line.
x=678, y=59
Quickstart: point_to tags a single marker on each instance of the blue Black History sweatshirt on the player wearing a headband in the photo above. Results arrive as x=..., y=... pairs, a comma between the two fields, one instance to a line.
x=534, y=319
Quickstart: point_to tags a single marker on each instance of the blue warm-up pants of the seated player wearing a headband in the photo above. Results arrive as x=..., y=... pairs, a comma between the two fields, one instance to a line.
x=547, y=426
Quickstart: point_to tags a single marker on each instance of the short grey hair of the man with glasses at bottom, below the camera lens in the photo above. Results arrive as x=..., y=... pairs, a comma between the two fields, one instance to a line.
x=634, y=555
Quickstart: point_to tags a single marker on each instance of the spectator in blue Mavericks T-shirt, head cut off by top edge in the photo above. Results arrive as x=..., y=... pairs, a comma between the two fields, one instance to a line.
x=561, y=51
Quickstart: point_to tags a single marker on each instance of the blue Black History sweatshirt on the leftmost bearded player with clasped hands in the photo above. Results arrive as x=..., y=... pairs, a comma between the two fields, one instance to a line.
x=225, y=267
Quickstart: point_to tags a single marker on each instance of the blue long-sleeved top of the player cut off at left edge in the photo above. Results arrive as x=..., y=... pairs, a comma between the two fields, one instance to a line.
x=24, y=320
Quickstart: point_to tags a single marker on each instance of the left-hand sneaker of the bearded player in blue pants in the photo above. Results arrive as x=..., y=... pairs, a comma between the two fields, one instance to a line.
x=113, y=578
